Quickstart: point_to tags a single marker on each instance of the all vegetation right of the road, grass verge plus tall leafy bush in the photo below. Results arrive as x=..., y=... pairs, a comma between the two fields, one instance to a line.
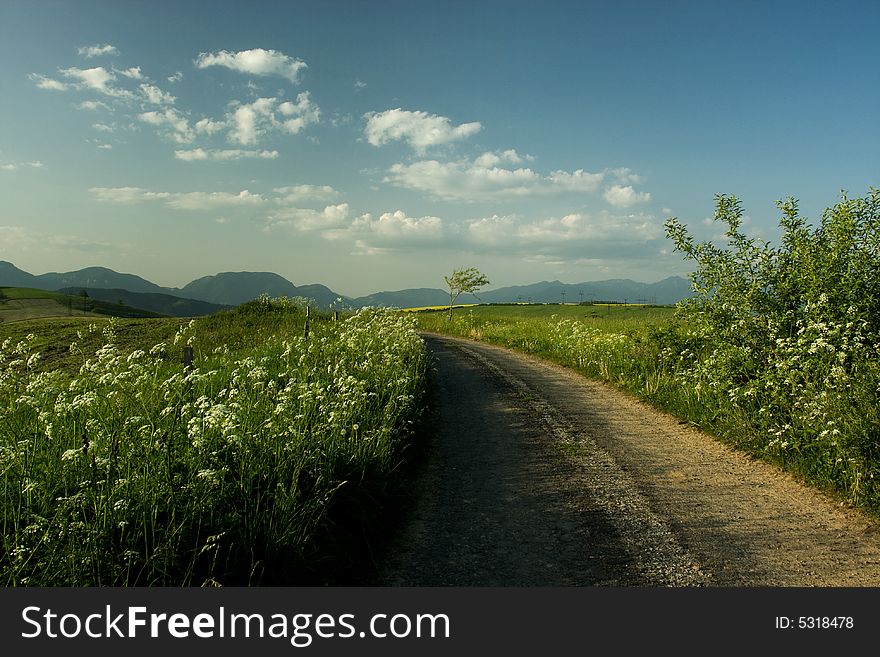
x=776, y=352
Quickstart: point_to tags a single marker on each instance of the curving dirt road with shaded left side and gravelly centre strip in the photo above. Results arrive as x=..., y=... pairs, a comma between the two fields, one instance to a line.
x=539, y=477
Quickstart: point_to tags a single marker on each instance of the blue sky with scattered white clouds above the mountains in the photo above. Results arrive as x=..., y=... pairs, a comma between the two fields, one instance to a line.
x=376, y=146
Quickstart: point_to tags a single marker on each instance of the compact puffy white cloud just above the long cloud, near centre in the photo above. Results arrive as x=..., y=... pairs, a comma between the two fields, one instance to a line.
x=419, y=129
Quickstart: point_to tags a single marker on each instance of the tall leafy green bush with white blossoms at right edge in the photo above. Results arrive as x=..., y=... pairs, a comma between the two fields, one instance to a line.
x=789, y=335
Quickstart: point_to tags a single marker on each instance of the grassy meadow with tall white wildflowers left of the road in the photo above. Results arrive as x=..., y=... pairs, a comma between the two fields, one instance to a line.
x=266, y=463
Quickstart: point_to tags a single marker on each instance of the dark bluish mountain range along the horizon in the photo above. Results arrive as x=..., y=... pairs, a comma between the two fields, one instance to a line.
x=211, y=293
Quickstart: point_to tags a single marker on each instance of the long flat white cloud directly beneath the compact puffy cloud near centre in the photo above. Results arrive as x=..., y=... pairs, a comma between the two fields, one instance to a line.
x=483, y=178
